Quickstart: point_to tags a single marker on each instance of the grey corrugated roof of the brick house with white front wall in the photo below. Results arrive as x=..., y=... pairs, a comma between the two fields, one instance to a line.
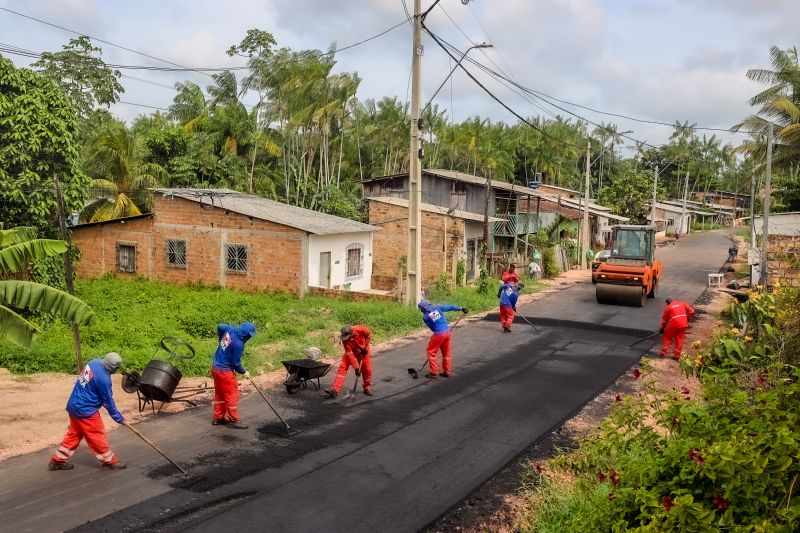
x=264, y=209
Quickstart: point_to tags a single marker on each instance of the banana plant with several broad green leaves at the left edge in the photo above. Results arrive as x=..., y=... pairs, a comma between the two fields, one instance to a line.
x=18, y=248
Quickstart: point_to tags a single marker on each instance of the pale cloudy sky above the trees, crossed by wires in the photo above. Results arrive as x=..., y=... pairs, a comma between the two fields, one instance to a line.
x=660, y=60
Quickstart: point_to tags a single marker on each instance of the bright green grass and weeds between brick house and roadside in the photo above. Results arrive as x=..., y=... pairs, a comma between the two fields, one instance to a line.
x=131, y=316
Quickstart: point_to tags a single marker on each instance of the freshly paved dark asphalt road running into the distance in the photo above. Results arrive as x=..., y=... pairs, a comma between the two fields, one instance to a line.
x=395, y=461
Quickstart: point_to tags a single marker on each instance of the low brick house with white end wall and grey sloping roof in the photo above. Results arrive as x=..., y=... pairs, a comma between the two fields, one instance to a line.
x=231, y=239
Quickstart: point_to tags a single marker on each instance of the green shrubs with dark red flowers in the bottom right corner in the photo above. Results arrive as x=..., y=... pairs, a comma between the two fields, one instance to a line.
x=668, y=461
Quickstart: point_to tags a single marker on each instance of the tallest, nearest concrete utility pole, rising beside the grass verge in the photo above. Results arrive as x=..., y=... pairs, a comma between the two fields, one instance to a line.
x=414, y=262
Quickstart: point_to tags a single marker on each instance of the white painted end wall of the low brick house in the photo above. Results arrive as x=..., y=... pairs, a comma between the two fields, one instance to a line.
x=337, y=246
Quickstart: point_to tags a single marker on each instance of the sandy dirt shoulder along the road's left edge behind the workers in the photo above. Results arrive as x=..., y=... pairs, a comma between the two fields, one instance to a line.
x=33, y=416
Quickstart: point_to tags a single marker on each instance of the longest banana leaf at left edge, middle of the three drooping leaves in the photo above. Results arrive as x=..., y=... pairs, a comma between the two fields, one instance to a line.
x=38, y=297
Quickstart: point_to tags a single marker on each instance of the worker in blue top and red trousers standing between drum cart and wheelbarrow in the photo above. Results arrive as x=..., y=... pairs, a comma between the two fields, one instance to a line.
x=227, y=363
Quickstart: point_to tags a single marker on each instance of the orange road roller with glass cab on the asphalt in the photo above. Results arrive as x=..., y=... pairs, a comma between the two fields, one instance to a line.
x=631, y=273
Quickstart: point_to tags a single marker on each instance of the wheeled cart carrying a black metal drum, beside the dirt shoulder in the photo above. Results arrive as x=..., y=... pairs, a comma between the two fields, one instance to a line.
x=158, y=382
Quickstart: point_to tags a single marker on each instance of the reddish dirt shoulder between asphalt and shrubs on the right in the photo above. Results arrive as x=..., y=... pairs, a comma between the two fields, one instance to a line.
x=499, y=503
